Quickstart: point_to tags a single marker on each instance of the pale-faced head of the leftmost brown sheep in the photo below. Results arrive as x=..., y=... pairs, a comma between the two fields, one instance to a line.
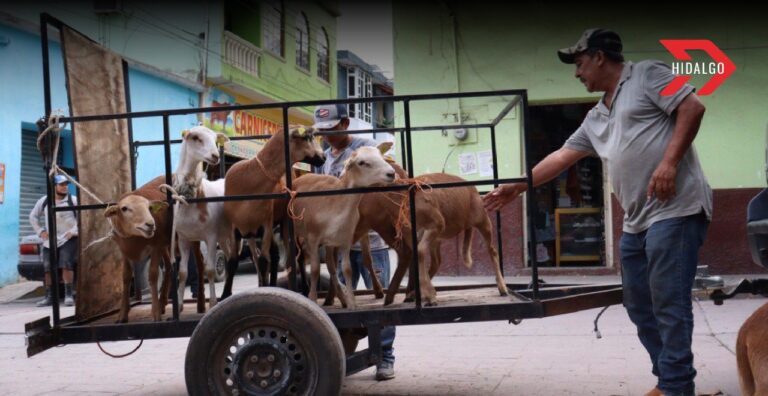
x=133, y=216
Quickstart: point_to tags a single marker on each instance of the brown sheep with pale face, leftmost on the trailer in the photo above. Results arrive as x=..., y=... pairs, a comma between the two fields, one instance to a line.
x=140, y=228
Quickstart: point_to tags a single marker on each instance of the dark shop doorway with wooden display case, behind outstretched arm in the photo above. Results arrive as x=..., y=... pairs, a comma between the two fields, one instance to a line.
x=569, y=220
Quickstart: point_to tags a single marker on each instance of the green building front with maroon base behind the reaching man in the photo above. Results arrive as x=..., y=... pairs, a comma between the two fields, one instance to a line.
x=459, y=47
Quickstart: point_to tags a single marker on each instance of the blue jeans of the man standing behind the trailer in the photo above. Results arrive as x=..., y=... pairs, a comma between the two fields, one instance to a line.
x=380, y=259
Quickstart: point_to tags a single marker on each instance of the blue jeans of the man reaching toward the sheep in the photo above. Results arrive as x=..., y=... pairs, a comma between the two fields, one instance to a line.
x=658, y=269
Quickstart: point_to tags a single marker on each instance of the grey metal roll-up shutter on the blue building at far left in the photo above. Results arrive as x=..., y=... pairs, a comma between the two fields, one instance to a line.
x=32, y=180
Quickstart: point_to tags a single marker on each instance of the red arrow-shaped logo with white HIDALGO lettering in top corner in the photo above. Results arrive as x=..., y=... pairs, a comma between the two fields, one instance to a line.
x=720, y=68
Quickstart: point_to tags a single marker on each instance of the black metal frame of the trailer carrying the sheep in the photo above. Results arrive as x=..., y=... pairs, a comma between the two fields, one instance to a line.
x=534, y=301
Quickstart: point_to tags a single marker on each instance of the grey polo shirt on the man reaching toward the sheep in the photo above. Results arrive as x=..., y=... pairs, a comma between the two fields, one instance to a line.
x=631, y=139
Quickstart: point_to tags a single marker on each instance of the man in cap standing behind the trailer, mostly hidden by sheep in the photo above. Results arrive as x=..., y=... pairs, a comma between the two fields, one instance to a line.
x=341, y=146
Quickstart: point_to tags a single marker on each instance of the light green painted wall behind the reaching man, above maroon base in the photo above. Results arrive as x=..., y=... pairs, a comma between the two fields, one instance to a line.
x=498, y=46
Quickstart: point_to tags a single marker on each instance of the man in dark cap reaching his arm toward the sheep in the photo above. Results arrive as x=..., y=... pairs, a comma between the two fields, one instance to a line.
x=645, y=141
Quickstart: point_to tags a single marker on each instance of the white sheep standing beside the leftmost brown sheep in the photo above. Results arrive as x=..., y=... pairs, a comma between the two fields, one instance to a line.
x=204, y=221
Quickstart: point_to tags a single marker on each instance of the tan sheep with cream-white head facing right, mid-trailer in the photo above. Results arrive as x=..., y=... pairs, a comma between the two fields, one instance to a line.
x=331, y=220
